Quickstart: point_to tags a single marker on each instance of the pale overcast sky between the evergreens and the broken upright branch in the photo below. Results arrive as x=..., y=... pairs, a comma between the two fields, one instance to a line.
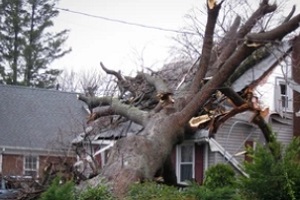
x=119, y=45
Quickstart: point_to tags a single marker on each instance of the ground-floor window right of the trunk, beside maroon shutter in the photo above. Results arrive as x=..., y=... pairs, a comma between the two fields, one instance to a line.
x=185, y=162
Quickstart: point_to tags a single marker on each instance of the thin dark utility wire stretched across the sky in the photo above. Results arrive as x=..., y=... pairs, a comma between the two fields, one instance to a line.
x=125, y=22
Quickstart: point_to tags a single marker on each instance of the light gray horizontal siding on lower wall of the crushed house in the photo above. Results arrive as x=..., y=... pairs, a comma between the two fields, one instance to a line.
x=235, y=133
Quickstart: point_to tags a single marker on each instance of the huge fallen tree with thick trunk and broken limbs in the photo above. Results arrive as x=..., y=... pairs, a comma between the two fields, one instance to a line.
x=164, y=108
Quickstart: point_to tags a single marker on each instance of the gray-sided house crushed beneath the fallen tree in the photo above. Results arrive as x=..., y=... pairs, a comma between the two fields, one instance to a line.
x=199, y=151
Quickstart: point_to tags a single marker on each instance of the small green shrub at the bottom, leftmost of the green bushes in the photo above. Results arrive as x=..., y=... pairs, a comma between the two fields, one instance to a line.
x=59, y=191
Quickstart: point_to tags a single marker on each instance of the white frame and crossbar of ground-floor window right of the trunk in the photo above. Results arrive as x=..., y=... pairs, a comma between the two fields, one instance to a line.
x=179, y=163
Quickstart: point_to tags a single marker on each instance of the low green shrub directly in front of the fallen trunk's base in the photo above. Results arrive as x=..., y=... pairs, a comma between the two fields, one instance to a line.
x=99, y=193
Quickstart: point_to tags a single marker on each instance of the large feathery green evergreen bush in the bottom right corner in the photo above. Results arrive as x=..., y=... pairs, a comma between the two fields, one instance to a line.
x=273, y=174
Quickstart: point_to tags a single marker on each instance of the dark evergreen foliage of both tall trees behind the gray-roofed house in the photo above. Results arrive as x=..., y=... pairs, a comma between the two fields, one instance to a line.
x=28, y=47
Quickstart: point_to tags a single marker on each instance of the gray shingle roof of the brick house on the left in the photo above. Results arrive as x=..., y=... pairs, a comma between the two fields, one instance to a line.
x=38, y=118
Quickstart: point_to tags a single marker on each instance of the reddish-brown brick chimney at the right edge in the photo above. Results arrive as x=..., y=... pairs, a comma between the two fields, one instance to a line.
x=296, y=78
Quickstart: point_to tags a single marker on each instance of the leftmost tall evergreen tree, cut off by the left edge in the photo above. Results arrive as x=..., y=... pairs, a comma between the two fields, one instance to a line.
x=11, y=25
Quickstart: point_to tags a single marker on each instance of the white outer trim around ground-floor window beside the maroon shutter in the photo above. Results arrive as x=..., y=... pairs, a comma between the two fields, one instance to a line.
x=178, y=161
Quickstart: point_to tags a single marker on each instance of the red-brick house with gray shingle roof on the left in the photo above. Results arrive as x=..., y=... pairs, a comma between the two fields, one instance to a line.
x=36, y=126
